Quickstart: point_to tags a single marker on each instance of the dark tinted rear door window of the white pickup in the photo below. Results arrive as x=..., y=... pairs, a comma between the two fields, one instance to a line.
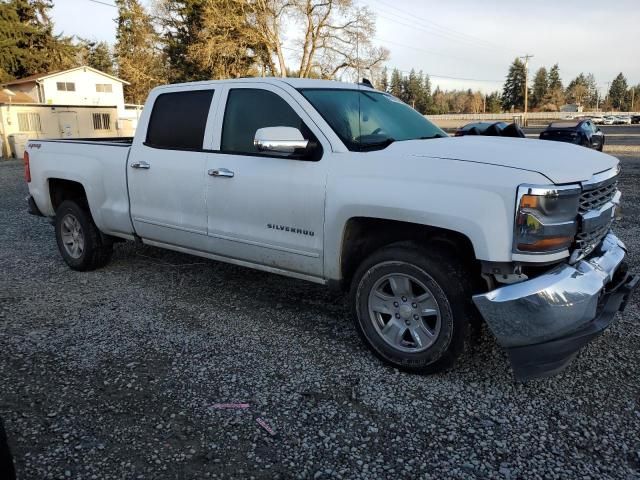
x=178, y=120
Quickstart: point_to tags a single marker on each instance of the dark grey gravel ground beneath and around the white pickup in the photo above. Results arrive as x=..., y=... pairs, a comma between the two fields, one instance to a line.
x=111, y=375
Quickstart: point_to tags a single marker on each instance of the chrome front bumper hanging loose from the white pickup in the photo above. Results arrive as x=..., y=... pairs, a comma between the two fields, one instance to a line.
x=543, y=322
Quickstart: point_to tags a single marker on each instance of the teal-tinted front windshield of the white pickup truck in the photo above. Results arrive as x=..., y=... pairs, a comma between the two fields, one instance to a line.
x=368, y=120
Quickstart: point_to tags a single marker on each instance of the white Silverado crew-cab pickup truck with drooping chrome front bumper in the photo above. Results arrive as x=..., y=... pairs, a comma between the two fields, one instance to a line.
x=344, y=185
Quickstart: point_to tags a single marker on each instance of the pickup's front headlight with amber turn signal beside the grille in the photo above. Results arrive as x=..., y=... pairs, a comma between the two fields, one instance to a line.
x=546, y=218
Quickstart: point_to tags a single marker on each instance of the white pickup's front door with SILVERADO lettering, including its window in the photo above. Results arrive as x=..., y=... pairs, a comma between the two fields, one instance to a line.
x=265, y=209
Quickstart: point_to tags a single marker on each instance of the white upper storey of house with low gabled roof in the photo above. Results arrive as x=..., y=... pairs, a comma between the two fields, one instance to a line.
x=84, y=86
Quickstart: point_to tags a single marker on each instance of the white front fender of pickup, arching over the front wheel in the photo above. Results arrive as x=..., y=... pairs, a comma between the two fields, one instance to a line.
x=476, y=200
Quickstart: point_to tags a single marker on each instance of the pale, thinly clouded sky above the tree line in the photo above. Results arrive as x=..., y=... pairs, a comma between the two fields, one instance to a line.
x=466, y=43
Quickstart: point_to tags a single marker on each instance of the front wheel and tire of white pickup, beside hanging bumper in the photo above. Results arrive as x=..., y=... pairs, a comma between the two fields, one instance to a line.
x=447, y=291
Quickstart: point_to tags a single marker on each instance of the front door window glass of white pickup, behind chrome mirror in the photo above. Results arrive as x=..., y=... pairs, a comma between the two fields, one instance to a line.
x=250, y=109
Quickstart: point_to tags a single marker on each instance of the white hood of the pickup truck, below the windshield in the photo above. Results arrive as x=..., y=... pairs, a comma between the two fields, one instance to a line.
x=559, y=162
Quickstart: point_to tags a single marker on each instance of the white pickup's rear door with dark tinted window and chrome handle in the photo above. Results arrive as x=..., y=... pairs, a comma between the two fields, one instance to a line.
x=166, y=169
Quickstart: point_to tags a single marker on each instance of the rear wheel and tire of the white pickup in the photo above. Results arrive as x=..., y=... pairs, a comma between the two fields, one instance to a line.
x=81, y=244
